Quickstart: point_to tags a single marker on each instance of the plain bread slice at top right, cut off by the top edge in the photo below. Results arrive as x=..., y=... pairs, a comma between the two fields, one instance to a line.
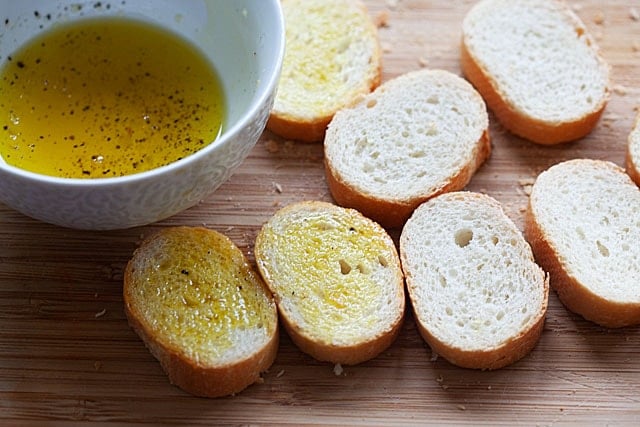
x=537, y=68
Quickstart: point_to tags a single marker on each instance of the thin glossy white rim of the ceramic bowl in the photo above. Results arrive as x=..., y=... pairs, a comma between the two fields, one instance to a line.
x=227, y=135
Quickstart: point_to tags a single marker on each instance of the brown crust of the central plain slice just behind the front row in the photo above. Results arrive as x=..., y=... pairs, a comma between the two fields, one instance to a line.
x=394, y=213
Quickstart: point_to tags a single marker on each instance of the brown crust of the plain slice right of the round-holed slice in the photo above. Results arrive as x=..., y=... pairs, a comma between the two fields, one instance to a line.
x=575, y=296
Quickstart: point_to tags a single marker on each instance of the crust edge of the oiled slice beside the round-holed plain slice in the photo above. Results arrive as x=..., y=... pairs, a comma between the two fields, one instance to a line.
x=350, y=353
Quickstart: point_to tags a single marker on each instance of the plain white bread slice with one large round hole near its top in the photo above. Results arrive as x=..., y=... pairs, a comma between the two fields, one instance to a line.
x=478, y=297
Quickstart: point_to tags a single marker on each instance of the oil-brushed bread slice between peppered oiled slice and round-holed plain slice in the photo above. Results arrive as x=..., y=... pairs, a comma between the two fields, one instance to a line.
x=336, y=278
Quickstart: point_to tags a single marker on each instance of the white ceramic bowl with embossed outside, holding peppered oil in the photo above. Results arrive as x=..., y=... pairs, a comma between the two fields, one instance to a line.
x=244, y=39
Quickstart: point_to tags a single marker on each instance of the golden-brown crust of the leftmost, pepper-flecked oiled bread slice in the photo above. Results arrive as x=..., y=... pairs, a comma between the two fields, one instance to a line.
x=193, y=376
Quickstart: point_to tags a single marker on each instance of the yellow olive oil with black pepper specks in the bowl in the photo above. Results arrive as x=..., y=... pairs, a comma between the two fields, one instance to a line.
x=106, y=97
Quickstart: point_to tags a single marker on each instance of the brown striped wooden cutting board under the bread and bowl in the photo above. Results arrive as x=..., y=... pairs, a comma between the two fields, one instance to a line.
x=68, y=357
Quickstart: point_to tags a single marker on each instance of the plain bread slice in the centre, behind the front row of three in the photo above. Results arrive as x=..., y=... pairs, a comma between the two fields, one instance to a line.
x=419, y=135
